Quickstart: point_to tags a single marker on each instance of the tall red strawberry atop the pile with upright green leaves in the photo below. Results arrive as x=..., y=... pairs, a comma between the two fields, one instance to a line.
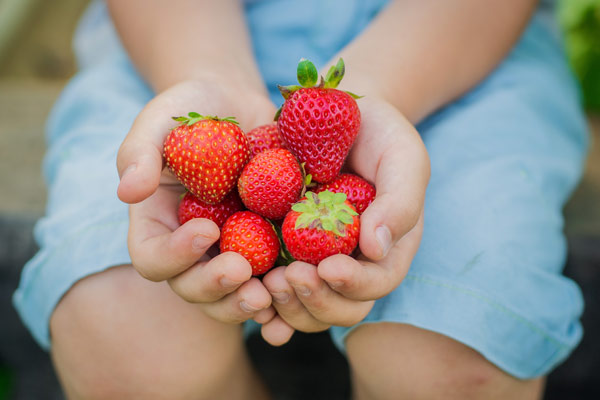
x=319, y=123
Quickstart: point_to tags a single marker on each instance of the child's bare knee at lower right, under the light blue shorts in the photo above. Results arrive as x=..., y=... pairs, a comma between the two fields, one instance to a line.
x=392, y=361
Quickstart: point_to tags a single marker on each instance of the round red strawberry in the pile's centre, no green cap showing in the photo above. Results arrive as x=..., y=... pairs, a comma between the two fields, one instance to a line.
x=271, y=183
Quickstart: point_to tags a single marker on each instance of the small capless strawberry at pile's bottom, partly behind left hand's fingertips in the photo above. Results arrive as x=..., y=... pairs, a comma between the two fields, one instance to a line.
x=253, y=237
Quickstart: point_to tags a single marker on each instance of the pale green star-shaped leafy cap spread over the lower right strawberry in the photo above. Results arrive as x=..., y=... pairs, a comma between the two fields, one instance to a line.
x=327, y=211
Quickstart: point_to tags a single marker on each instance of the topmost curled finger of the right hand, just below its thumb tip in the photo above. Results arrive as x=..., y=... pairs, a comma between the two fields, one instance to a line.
x=363, y=280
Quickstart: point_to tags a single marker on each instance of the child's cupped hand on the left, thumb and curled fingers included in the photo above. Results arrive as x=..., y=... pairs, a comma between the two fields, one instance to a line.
x=160, y=249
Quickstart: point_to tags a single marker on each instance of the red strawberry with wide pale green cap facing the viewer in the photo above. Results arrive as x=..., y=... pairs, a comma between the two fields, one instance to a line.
x=320, y=226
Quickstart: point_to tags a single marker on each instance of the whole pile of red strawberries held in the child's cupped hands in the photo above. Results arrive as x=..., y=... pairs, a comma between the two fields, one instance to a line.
x=291, y=201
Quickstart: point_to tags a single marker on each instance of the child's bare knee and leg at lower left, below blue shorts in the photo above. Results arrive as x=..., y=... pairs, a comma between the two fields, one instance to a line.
x=116, y=335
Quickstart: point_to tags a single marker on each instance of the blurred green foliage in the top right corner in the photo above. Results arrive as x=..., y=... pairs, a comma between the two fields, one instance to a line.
x=580, y=20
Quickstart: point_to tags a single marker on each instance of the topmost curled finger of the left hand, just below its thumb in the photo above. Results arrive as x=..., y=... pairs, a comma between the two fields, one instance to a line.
x=159, y=247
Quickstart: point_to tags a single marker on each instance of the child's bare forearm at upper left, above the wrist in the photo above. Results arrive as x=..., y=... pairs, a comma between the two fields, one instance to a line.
x=177, y=40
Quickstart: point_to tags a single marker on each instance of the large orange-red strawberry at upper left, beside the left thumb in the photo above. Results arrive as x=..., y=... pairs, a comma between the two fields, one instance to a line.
x=207, y=155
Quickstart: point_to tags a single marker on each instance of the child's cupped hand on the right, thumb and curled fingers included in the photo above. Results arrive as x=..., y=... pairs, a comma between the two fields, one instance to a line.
x=341, y=290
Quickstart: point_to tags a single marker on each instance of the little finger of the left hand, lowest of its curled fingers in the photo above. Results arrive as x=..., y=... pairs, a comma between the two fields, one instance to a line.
x=241, y=305
